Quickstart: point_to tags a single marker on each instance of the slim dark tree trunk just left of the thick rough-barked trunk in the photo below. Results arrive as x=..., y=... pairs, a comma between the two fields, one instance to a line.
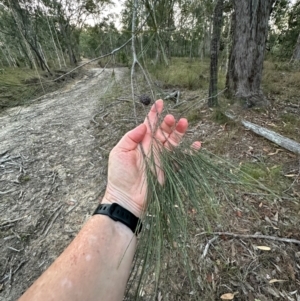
x=214, y=51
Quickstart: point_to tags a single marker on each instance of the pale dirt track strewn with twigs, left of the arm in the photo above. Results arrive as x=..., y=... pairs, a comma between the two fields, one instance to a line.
x=52, y=170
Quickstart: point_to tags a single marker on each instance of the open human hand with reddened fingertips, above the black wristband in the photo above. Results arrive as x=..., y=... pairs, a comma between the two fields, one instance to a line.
x=127, y=183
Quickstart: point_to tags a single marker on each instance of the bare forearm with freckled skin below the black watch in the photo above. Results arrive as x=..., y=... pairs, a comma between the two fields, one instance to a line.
x=95, y=266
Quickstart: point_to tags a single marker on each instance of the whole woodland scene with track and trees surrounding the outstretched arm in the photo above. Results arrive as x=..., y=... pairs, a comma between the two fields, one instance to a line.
x=75, y=75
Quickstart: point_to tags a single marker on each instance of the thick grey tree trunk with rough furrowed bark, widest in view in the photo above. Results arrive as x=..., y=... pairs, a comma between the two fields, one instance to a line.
x=250, y=29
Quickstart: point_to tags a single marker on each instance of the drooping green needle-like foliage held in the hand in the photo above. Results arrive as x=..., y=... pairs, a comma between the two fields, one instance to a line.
x=199, y=194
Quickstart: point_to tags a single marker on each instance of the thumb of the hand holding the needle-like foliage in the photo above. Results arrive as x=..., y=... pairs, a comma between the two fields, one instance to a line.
x=131, y=139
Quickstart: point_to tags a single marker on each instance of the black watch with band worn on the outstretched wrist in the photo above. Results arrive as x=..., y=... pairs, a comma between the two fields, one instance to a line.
x=120, y=214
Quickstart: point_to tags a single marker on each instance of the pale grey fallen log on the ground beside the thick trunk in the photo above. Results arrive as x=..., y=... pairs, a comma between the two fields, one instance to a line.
x=280, y=140
